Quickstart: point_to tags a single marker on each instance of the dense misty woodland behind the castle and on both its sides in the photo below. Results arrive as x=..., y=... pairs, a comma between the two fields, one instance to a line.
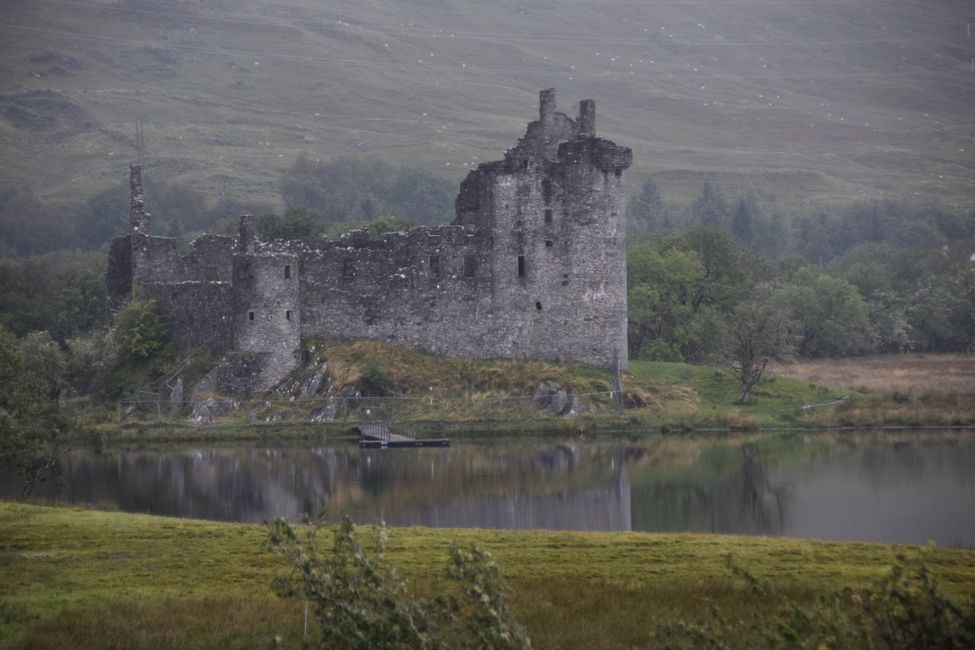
x=705, y=278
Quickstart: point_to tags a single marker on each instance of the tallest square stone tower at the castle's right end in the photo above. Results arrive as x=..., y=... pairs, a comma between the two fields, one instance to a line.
x=555, y=209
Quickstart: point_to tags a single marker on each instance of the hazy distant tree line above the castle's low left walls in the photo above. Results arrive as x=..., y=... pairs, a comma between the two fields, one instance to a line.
x=317, y=197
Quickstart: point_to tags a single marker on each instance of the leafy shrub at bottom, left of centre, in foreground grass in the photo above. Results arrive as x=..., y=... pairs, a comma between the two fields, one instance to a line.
x=360, y=600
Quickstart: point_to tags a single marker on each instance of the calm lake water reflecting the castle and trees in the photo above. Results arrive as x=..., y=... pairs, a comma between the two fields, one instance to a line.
x=904, y=487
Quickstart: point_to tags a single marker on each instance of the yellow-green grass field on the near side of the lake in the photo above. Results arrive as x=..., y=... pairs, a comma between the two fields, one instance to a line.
x=83, y=578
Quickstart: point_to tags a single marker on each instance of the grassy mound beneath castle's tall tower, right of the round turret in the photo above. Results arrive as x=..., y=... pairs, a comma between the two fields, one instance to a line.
x=412, y=384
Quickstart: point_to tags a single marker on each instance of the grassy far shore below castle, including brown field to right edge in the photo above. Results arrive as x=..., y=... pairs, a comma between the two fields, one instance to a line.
x=456, y=397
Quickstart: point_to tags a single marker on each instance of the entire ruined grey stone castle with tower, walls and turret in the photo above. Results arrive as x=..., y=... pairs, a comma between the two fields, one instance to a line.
x=532, y=267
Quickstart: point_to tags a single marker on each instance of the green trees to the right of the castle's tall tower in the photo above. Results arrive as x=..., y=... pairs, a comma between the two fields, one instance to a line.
x=877, y=277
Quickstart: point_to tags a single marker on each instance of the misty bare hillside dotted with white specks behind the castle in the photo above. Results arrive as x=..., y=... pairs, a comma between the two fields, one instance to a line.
x=822, y=101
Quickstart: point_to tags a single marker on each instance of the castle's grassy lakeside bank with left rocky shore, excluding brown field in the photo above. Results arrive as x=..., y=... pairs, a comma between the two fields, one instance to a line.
x=482, y=396
